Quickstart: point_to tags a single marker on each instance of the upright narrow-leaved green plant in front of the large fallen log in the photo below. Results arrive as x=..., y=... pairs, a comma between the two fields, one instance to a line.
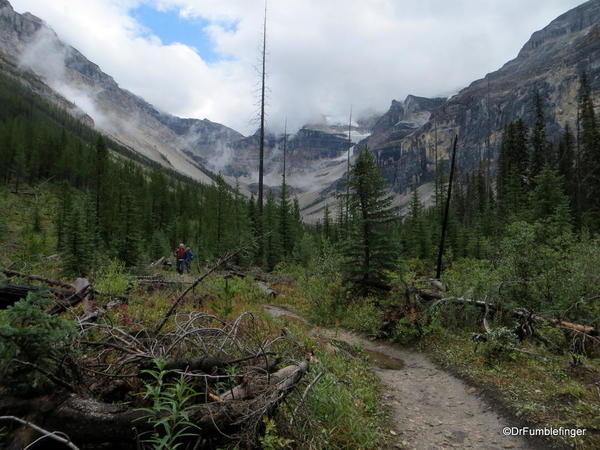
x=172, y=406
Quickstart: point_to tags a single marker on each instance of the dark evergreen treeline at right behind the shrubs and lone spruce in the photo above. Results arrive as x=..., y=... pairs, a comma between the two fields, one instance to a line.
x=534, y=180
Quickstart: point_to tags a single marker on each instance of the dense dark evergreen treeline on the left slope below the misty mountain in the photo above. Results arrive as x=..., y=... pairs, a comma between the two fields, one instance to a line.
x=114, y=206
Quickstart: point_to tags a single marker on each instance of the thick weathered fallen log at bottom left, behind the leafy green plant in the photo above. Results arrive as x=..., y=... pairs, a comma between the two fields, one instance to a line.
x=88, y=421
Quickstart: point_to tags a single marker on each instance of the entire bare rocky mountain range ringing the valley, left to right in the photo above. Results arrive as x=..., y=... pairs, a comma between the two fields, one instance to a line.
x=407, y=139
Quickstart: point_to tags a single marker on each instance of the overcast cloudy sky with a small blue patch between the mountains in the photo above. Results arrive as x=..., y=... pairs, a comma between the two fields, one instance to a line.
x=199, y=58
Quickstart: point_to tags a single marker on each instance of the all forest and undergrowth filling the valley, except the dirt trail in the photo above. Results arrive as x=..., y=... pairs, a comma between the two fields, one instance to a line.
x=189, y=361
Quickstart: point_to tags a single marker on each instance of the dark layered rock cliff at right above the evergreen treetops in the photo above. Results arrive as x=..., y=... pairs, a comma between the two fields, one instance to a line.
x=551, y=62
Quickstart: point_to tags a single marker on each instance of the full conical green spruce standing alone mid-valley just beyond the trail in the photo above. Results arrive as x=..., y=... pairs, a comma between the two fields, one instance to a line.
x=369, y=252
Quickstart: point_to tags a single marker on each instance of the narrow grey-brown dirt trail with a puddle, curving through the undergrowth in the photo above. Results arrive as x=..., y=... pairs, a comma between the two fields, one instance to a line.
x=431, y=408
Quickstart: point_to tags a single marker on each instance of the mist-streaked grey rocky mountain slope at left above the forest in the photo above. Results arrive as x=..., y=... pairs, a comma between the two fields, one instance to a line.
x=30, y=50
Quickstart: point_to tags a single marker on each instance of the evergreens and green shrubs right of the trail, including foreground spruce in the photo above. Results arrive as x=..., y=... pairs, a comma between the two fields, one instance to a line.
x=523, y=231
